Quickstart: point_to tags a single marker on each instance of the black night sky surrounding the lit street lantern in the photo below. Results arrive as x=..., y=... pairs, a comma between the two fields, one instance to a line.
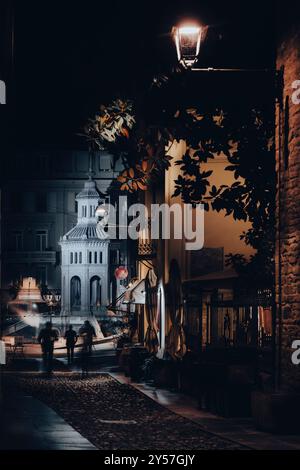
x=72, y=56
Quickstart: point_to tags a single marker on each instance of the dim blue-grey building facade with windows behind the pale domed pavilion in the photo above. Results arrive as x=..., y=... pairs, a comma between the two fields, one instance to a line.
x=38, y=206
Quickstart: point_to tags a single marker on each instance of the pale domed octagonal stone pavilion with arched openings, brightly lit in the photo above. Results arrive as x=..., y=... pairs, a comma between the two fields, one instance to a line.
x=85, y=259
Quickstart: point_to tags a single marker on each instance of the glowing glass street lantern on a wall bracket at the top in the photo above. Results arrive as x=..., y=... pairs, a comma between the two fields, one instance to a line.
x=187, y=39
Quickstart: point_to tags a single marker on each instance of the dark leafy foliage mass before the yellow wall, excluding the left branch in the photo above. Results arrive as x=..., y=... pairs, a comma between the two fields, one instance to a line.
x=249, y=148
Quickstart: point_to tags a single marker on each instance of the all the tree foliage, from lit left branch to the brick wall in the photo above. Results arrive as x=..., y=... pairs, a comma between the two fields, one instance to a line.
x=246, y=139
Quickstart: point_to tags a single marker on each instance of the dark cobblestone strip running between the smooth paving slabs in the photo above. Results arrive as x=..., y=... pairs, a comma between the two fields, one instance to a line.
x=112, y=415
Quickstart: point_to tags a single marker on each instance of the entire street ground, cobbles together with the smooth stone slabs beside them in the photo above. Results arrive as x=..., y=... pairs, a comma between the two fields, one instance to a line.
x=108, y=411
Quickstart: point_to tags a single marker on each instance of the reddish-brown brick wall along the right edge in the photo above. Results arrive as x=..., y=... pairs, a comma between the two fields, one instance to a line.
x=288, y=210
